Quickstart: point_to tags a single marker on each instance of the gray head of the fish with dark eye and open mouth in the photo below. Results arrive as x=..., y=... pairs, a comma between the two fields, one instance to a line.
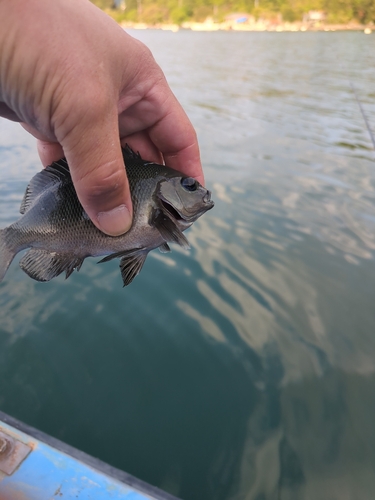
x=184, y=198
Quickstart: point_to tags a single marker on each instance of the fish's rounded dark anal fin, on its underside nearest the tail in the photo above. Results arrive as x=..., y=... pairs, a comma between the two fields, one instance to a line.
x=42, y=265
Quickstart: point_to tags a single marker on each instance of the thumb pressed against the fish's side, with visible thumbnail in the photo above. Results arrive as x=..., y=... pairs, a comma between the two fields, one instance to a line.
x=93, y=152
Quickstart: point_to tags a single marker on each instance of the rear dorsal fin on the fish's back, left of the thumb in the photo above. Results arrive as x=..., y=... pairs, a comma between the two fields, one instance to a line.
x=56, y=172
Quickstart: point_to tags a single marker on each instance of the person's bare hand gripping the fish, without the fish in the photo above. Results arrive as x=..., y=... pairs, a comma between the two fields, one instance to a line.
x=82, y=87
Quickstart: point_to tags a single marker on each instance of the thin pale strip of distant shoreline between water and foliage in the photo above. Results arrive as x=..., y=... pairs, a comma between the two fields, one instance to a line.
x=255, y=27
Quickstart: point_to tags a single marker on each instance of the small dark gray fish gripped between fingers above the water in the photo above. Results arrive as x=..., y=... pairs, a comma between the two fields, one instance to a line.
x=59, y=234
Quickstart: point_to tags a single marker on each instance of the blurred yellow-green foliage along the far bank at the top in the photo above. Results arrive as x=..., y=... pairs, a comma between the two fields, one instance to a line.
x=178, y=11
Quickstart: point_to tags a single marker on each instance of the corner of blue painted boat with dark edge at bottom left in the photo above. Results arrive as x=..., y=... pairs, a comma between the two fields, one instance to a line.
x=35, y=466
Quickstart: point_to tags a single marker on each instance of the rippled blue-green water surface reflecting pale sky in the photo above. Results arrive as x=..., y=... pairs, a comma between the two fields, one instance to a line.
x=245, y=368
